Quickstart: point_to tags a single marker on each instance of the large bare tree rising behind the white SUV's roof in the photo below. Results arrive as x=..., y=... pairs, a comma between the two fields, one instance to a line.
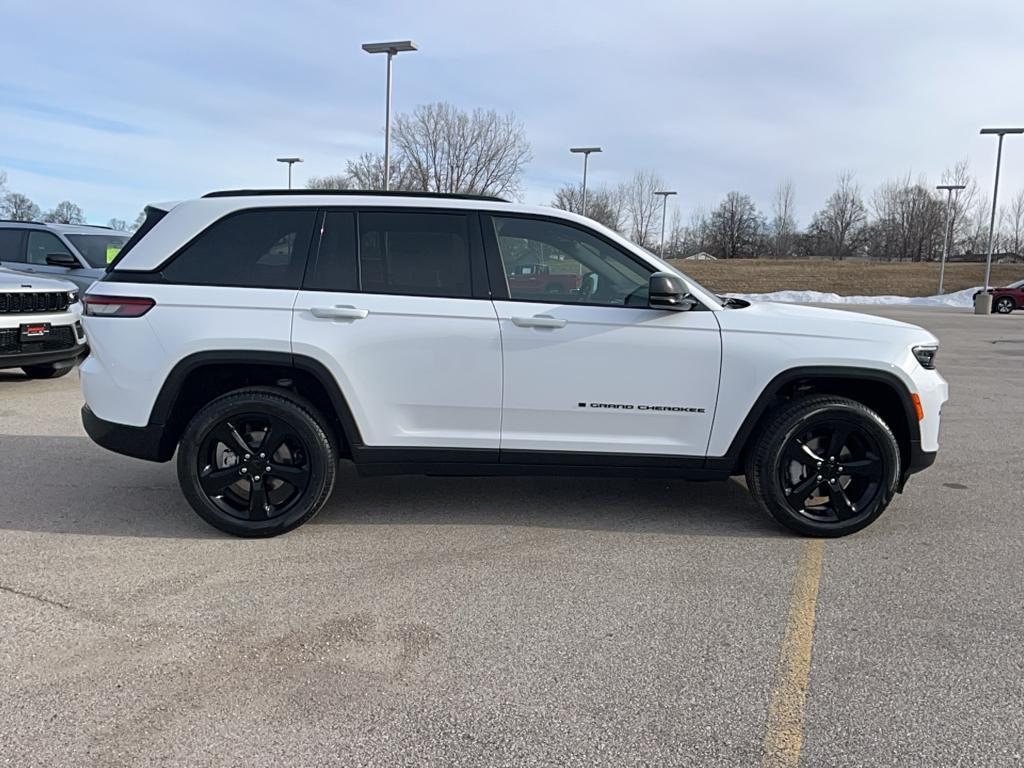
x=446, y=150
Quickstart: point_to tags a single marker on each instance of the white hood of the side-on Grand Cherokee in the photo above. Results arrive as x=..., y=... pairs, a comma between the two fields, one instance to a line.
x=797, y=320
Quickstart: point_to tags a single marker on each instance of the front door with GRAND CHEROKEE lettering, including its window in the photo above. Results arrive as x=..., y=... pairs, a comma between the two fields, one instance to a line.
x=596, y=370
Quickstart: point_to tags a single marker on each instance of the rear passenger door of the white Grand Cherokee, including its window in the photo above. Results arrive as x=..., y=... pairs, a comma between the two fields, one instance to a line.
x=396, y=307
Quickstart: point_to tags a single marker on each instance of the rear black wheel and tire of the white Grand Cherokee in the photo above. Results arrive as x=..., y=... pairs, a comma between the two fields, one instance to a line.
x=226, y=483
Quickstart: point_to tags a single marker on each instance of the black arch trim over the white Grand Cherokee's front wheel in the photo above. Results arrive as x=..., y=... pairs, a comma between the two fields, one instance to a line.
x=733, y=459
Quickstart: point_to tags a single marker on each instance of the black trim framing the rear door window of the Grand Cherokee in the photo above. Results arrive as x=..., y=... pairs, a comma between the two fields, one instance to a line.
x=480, y=286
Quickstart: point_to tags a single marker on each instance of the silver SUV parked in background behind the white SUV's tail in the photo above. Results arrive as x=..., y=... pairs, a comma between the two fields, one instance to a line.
x=78, y=253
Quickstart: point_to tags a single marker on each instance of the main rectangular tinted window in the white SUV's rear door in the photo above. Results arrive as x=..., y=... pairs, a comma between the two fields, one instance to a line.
x=420, y=254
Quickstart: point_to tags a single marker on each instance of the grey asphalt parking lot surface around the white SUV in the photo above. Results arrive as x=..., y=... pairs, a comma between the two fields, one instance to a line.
x=517, y=622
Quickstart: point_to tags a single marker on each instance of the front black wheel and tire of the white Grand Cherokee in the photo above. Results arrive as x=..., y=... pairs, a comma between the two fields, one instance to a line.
x=798, y=447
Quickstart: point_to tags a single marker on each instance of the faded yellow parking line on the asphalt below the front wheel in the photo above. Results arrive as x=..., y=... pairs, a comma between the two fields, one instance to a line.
x=786, y=709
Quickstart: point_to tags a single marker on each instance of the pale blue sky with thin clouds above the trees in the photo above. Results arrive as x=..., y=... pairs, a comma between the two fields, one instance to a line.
x=113, y=105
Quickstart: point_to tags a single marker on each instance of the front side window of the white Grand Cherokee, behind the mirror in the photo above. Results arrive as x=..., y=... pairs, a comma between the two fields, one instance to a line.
x=548, y=262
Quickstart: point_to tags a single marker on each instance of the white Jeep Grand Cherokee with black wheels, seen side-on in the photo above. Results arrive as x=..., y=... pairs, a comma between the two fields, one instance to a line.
x=265, y=335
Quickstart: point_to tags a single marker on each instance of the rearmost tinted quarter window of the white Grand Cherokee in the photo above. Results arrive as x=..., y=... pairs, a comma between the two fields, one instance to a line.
x=253, y=249
